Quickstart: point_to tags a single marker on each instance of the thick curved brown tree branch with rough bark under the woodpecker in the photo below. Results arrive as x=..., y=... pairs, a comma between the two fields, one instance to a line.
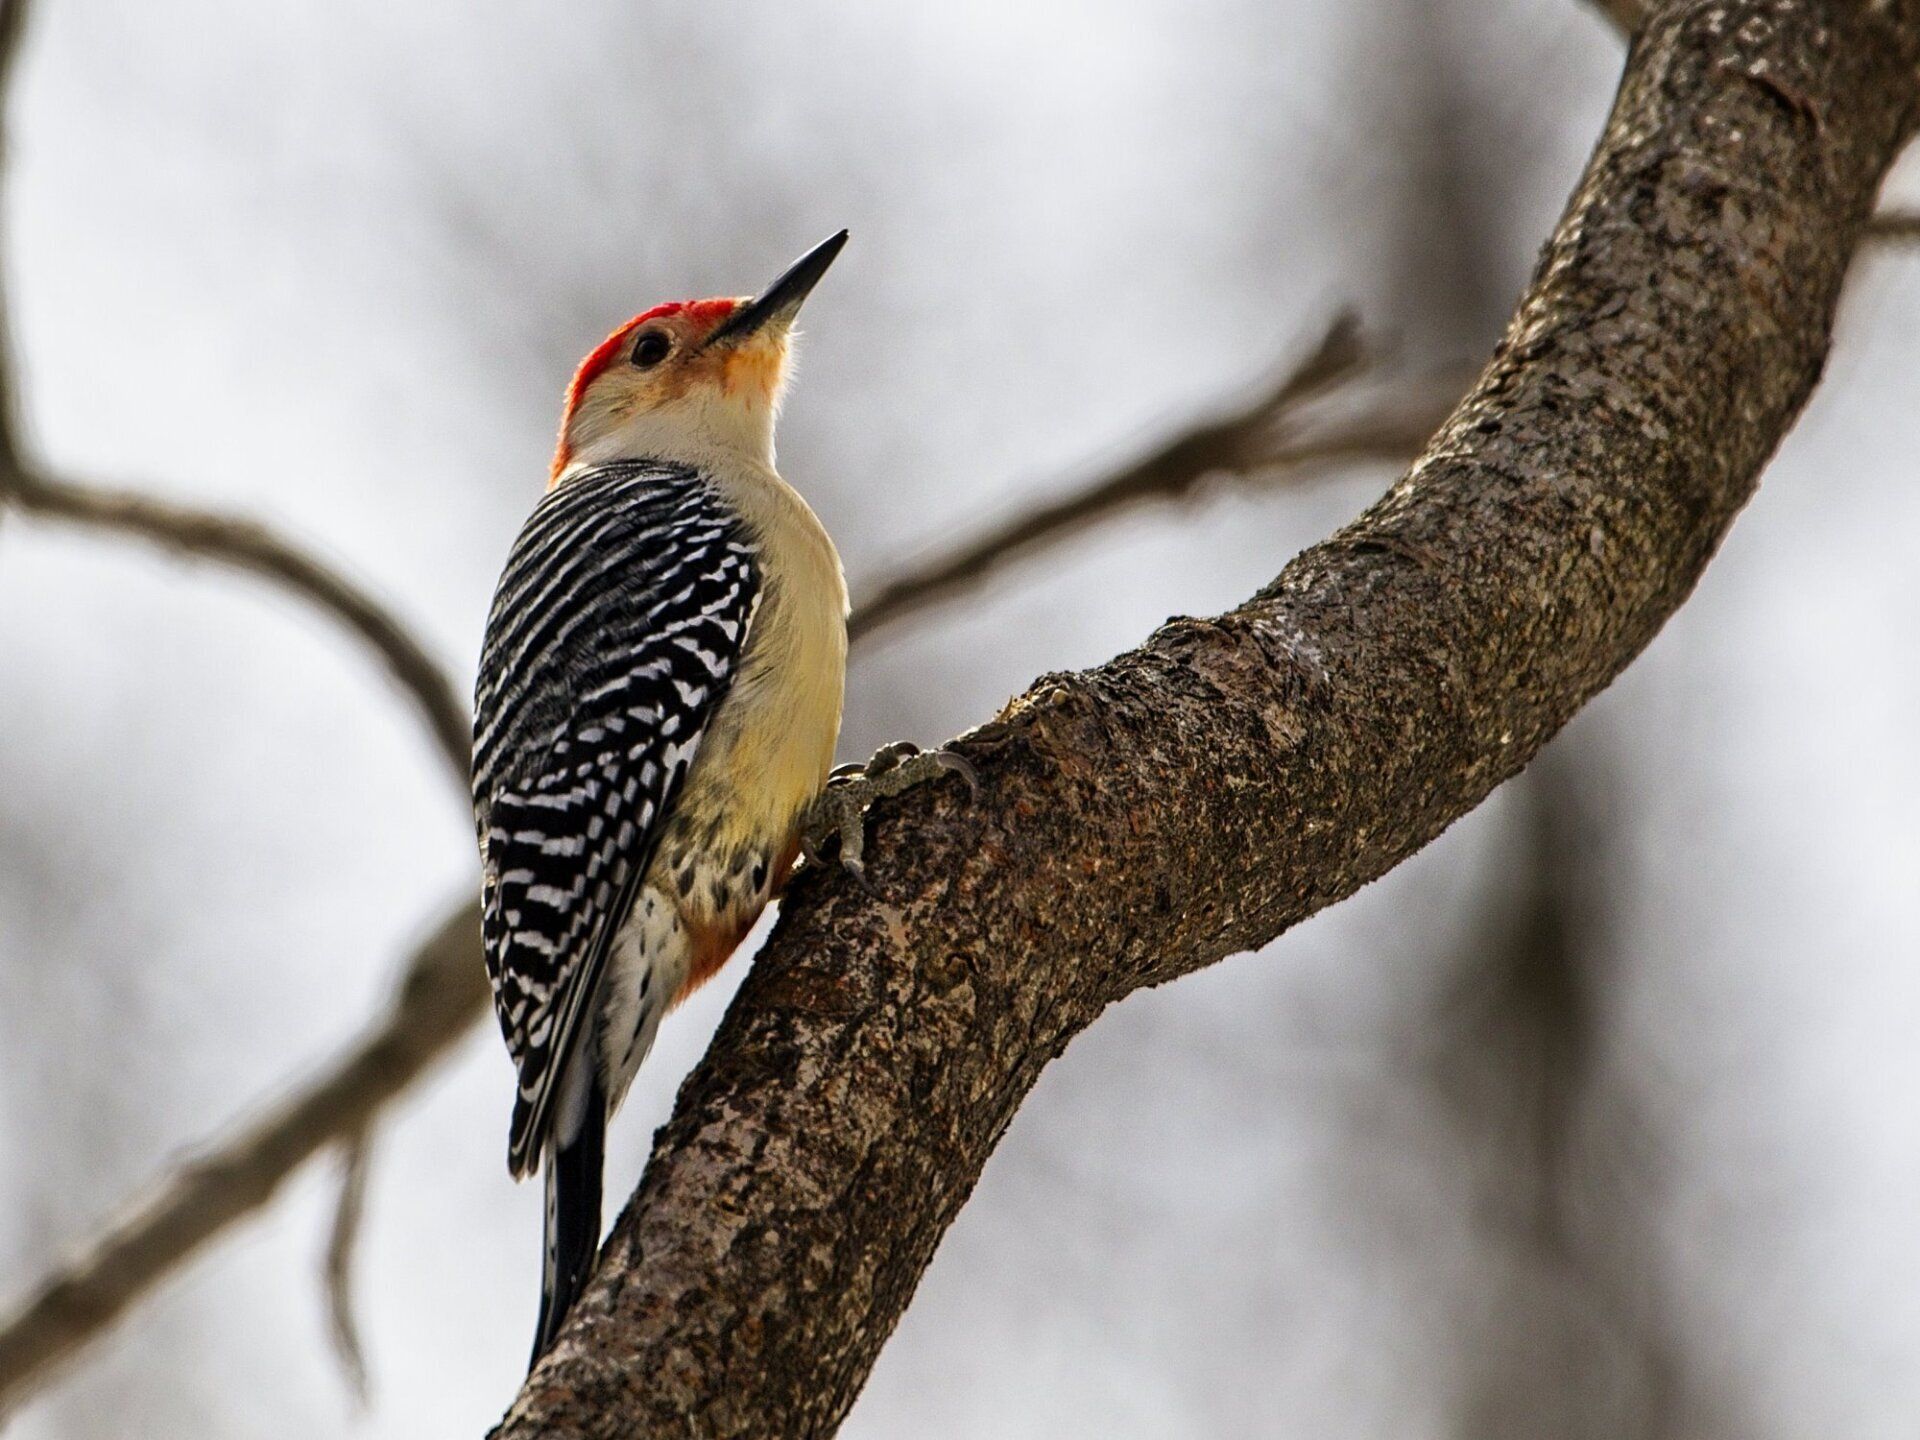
x=1232, y=777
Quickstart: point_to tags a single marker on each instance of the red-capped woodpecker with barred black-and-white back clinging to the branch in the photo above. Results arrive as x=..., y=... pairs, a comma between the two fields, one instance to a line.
x=656, y=719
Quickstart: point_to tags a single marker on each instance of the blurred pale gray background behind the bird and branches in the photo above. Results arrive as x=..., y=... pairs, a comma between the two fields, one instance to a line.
x=1596, y=1120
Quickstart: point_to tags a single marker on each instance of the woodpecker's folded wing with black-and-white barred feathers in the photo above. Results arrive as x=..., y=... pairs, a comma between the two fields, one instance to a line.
x=615, y=633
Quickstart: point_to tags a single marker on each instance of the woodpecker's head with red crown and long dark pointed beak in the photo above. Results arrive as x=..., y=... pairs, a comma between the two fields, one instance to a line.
x=696, y=381
